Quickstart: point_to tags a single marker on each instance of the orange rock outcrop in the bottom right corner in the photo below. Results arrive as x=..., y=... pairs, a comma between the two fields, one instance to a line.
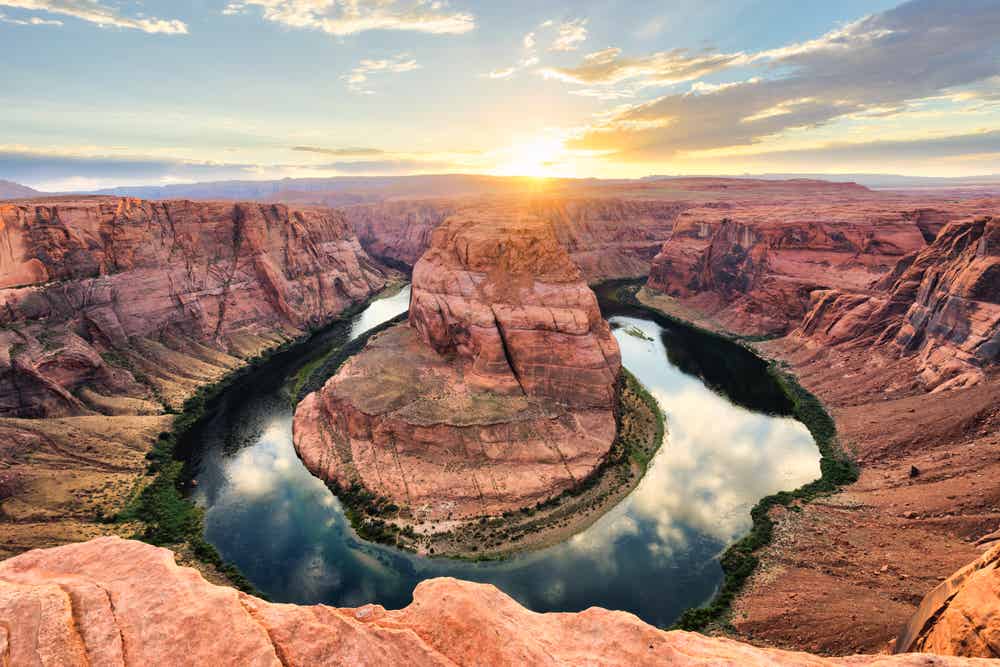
x=961, y=616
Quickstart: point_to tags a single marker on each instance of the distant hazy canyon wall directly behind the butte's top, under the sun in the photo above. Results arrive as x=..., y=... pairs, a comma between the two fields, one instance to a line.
x=606, y=237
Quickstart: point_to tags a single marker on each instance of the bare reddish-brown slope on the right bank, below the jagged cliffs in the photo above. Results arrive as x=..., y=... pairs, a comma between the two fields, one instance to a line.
x=842, y=573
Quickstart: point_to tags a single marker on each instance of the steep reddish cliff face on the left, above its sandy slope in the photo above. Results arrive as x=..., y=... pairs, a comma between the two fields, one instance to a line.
x=81, y=279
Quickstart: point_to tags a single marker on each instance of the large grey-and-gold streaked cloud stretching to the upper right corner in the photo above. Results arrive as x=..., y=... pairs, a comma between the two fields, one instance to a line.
x=920, y=49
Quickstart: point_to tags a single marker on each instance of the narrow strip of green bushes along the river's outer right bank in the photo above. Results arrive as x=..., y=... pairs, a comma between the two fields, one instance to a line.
x=837, y=469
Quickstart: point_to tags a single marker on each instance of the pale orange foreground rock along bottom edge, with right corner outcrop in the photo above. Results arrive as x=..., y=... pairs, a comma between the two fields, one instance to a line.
x=116, y=602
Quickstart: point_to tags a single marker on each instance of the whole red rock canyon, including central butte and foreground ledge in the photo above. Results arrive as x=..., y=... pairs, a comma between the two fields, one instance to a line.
x=885, y=306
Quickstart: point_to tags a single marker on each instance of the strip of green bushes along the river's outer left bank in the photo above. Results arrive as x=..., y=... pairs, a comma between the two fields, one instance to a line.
x=166, y=516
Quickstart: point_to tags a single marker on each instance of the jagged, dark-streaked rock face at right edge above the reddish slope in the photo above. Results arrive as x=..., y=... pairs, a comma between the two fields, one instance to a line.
x=939, y=307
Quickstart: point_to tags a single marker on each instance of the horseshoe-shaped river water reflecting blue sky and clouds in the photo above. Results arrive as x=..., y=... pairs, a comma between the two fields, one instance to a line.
x=654, y=554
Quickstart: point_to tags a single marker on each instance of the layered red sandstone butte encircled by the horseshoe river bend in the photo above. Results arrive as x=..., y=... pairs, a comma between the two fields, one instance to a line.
x=498, y=393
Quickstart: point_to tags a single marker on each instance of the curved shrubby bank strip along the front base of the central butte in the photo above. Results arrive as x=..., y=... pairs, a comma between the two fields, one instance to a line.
x=640, y=433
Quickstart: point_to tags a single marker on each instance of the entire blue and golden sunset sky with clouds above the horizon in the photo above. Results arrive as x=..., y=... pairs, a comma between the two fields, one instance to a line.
x=100, y=93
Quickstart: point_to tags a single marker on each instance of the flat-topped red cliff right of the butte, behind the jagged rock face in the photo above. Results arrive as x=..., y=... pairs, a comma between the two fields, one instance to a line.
x=751, y=267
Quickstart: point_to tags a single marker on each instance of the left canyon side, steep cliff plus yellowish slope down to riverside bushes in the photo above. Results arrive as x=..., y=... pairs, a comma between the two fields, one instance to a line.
x=116, y=310
